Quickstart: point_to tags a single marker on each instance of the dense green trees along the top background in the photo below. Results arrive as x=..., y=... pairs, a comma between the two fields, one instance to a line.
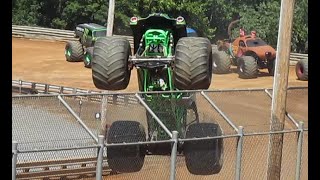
x=209, y=18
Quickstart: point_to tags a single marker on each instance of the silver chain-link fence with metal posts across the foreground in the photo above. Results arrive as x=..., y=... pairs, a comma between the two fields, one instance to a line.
x=58, y=135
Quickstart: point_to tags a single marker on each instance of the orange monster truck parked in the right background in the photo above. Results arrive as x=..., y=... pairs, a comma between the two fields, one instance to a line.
x=248, y=52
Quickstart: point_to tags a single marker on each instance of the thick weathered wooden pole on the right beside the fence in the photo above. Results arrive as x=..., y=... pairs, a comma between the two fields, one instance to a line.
x=280, y=85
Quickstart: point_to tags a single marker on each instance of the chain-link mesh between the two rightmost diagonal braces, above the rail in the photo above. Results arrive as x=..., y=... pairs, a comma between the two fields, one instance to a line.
x=250, y=109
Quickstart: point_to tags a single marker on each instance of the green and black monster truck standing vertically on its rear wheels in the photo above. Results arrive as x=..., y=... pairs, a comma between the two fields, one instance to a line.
x=166, y=60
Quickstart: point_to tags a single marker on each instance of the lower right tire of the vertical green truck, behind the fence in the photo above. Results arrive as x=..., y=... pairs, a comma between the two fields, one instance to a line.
x=204, y=157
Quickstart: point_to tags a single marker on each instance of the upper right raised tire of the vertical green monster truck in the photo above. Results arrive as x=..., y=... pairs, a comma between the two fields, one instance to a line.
x=193, y=63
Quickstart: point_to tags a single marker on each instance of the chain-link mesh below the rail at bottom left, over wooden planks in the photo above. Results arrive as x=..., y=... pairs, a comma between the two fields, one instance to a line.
x=57, y=163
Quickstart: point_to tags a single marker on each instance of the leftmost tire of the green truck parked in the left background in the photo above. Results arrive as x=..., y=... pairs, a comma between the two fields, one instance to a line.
x=74, y=51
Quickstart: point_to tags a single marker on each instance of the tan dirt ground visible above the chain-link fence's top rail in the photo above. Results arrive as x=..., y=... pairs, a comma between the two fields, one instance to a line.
x=44, y=62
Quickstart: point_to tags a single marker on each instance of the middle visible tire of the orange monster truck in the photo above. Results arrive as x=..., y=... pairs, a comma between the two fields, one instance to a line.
x=247, y=67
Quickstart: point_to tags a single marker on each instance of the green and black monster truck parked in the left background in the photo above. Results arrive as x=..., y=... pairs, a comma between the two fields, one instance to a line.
x=82, y=50
